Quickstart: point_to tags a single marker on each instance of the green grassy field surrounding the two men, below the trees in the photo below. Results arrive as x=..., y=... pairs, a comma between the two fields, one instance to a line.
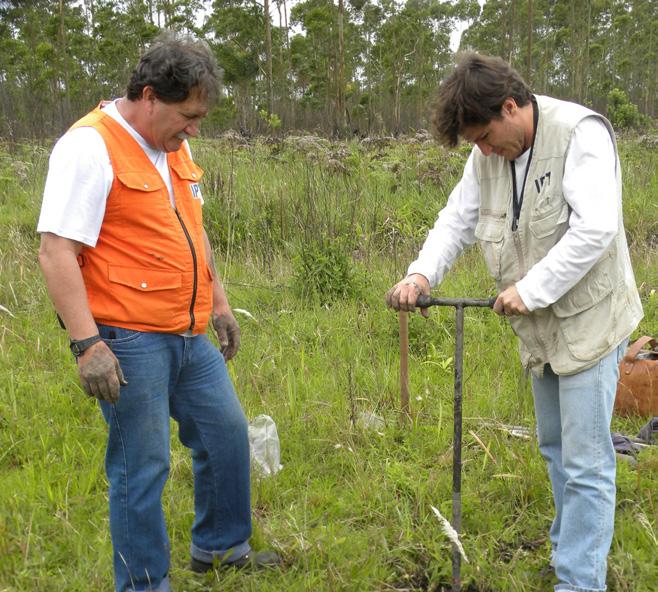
x=309, y=236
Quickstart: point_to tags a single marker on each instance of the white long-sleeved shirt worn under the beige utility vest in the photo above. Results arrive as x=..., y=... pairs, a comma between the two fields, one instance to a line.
x=590, y=189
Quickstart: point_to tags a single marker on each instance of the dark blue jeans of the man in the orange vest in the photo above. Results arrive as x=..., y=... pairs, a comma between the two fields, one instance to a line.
x=185, y=378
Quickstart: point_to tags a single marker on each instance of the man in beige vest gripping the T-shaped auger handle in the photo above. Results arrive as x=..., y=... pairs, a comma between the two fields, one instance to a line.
x=541, y=194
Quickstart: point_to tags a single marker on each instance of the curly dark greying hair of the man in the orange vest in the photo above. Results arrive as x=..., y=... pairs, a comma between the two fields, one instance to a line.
x=173, y=66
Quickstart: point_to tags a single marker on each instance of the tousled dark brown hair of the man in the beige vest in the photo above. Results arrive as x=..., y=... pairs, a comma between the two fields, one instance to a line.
x=474, y=93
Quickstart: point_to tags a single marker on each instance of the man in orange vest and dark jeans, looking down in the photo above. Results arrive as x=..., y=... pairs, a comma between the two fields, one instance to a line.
x=129, y=269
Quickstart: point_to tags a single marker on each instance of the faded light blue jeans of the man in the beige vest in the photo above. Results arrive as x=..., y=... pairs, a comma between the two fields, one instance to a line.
x=573, y=429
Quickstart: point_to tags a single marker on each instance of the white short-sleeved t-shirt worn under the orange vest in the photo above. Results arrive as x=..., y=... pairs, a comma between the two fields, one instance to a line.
x=80, y=178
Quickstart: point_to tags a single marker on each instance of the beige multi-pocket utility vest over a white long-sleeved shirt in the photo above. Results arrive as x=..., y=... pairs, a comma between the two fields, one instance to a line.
x=603, y=308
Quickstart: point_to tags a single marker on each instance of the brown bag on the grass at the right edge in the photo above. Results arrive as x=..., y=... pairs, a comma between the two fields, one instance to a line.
x=637, y=389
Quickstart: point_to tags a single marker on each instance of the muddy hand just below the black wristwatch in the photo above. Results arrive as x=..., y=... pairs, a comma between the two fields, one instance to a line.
x=100, y=373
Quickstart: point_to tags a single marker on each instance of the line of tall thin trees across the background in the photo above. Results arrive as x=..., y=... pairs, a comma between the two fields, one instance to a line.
x=334, y=67
